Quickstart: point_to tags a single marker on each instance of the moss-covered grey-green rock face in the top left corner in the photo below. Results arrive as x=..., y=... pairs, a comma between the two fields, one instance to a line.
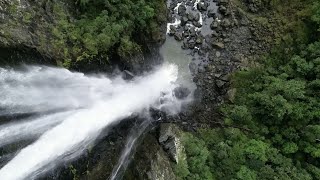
x=32, y=24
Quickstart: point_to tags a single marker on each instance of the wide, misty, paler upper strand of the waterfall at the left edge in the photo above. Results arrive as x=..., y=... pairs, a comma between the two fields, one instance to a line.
x=41, y=89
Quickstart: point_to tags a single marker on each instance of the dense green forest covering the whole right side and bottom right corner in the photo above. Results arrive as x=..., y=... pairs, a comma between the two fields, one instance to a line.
x=277, y=110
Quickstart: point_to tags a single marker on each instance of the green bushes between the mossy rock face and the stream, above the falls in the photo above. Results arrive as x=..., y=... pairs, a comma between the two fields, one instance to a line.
x=104, y=28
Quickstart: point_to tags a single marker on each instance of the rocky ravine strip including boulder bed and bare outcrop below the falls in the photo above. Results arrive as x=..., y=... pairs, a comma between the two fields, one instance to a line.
x=226, y=44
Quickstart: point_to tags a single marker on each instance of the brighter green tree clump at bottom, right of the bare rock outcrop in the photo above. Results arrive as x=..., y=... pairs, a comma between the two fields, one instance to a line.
x=232, y=154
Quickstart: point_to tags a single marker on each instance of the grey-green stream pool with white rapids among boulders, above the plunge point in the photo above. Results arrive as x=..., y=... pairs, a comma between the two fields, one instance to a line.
x=186, y=59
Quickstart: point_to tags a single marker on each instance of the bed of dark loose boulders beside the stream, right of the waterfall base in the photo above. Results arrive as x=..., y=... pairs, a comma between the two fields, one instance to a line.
x=221, y=43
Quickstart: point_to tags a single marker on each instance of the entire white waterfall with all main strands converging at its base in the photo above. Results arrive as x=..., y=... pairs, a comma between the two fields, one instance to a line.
x=91, y=102
